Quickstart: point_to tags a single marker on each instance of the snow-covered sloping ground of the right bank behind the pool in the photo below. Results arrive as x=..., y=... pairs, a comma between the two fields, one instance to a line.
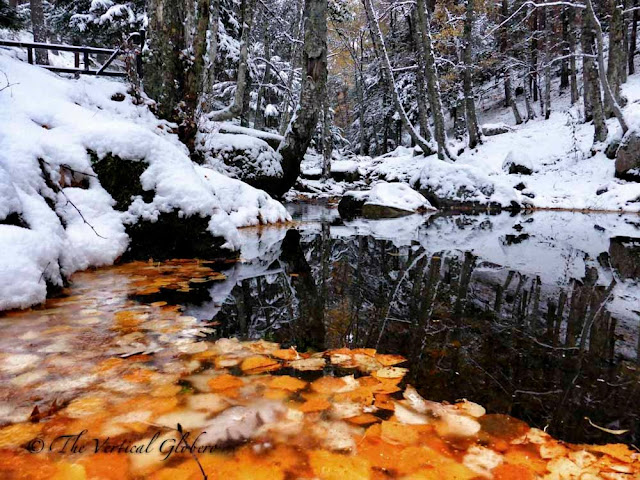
x=566, y=173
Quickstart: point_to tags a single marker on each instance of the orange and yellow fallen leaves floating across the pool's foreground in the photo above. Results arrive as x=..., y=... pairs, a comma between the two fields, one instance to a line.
x=115, y=359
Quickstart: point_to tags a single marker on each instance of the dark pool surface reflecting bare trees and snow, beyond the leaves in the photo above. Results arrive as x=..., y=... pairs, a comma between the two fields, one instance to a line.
x=535, y=315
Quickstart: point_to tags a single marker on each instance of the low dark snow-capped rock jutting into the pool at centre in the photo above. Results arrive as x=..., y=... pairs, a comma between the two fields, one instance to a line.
x=383, y=200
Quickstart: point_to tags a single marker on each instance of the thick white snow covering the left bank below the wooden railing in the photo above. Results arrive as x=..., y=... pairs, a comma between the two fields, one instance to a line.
x=44, y=116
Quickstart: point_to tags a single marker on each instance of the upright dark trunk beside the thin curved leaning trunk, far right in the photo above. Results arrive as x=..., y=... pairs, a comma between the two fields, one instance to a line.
x=594, y=109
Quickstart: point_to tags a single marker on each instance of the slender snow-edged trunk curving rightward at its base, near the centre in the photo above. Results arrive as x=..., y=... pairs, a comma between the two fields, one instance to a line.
x=381, y=52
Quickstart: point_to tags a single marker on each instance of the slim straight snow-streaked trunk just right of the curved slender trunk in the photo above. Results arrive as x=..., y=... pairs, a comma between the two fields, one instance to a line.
x=433, y=85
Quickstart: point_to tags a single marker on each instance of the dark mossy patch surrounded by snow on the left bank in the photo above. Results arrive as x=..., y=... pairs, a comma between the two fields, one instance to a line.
x=121, y=178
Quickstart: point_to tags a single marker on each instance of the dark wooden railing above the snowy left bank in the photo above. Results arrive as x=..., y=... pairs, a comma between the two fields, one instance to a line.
x=134, y=38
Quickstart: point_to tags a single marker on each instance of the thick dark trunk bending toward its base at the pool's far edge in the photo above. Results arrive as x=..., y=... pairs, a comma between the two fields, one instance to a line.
x=313, y=91
